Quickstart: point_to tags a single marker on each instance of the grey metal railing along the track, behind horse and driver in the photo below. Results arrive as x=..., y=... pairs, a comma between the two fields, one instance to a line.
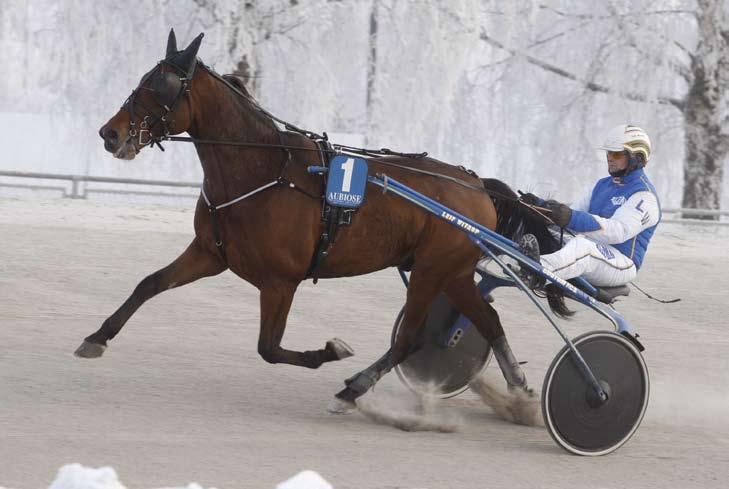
x=79, y=192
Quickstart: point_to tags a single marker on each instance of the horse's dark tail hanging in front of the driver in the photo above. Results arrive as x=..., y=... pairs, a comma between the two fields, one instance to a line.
x=513, y=220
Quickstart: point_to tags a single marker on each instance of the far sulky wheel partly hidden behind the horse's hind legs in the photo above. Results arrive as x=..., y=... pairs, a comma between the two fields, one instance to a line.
x=449, y=357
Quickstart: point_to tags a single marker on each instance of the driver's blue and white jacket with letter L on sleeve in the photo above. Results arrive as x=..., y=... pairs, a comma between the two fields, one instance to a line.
x=624, y=215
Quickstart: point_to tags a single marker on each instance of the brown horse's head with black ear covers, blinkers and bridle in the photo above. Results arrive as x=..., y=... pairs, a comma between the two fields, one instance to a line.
x=159, y=105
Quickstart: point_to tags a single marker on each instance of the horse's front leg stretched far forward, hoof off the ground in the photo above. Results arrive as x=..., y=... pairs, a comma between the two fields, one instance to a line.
x=196, y=262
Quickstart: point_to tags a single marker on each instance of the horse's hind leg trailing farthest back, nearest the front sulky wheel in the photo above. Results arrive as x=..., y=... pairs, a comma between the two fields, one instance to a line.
x=465, y=296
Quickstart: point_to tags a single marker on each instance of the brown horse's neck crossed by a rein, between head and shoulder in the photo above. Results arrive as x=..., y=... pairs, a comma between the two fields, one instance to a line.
x=222, y=115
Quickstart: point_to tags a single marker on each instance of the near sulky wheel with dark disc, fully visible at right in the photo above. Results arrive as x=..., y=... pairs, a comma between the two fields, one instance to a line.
x=574, y=416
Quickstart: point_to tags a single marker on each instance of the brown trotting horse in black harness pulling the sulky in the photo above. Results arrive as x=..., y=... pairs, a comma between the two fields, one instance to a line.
x=269, y=238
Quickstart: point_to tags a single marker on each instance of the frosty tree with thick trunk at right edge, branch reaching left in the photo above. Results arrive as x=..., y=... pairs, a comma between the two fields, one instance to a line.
x=651, y=37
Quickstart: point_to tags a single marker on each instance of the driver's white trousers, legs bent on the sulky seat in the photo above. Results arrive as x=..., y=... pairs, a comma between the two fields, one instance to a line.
x=600, y=264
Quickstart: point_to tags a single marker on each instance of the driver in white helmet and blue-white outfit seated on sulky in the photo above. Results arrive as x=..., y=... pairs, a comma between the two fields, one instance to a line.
x=613, y=223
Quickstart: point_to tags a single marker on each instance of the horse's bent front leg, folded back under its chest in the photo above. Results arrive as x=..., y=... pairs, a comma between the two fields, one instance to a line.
x=275, y=305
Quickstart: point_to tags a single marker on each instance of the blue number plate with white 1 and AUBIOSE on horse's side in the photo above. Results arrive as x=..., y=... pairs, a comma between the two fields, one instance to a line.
x=347, y=181
